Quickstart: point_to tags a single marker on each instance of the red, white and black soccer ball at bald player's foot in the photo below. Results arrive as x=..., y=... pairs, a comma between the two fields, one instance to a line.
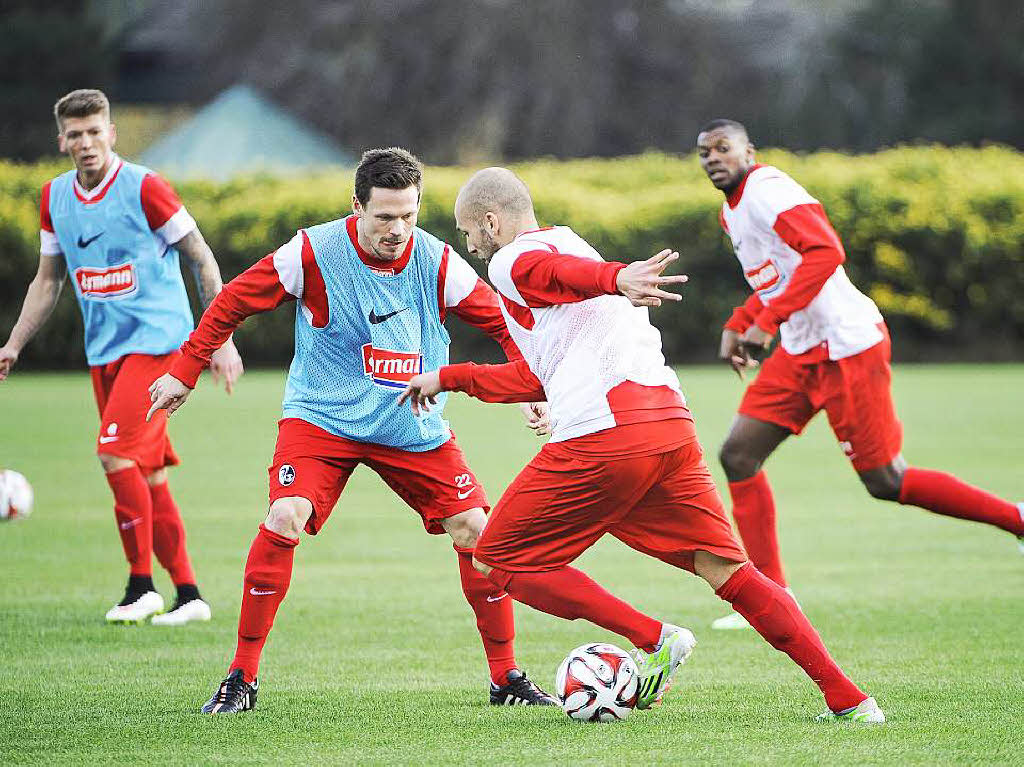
x=598, y=684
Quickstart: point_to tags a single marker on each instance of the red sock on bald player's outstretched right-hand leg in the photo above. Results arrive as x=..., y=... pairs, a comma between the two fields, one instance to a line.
x=775, y=615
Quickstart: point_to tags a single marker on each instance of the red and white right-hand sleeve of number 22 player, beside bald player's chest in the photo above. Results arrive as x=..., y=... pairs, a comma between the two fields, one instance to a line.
x=470, y=299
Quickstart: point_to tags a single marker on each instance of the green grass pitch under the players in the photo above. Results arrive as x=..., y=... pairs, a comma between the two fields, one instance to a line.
x=375, y=659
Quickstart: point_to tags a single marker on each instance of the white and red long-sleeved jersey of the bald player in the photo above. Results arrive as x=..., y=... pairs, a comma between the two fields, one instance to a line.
x=594, y=357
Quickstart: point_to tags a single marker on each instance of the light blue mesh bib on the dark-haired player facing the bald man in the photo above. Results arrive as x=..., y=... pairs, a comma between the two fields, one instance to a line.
x=382, y=330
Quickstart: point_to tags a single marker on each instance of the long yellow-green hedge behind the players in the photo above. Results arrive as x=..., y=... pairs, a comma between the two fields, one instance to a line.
x=934, y=235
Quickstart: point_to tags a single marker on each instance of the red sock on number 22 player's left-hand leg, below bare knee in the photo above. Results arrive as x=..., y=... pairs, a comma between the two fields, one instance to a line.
x=269, y=572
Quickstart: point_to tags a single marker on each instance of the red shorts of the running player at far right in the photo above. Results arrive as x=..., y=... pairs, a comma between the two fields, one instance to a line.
x=856, y=394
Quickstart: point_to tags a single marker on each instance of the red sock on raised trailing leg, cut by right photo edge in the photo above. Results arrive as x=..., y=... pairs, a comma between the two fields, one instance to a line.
x=945, y=494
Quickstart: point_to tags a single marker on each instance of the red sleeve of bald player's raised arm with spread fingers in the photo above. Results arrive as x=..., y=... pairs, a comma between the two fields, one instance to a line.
x=547, y=279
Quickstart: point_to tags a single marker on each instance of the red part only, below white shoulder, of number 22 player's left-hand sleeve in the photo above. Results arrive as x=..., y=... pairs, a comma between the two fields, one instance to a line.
x=257, y=290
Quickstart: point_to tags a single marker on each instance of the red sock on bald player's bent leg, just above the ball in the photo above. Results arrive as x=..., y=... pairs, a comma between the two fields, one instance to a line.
x=572, y=594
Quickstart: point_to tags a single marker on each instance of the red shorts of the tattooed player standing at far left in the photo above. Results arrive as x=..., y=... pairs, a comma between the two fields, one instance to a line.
x=122, y=391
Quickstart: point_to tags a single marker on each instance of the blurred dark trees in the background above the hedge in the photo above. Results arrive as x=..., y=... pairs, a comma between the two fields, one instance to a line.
x=472, y=80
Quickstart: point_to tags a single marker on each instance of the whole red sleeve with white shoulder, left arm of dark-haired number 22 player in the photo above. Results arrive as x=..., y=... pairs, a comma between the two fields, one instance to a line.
x=288, y=274
